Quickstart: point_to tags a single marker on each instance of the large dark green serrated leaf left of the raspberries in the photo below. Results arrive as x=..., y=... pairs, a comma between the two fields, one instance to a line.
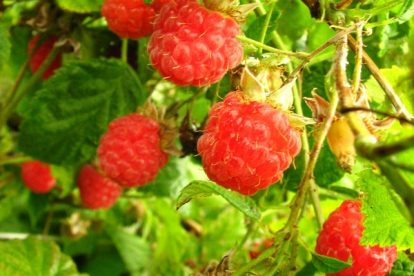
x=67, y=118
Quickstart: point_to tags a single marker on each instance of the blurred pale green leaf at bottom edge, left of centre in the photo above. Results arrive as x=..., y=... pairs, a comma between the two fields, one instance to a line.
x=134, y=250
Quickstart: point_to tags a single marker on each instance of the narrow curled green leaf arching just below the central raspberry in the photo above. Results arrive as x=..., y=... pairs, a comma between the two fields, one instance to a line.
x=199, y=189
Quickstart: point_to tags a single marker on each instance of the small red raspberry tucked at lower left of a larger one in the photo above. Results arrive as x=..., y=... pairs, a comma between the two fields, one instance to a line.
x=96, y=190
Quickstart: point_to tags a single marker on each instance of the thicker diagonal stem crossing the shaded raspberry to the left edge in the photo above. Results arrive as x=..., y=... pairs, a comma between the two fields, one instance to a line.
x=32, y=81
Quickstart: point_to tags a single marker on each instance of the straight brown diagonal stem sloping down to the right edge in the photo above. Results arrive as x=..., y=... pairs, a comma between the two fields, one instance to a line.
x=382, y=81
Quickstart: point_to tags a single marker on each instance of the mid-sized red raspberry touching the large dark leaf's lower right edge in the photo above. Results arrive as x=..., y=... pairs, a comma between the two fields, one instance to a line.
x=130, y=152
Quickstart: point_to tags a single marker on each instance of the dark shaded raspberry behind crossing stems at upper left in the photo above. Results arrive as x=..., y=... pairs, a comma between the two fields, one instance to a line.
x=41, y=54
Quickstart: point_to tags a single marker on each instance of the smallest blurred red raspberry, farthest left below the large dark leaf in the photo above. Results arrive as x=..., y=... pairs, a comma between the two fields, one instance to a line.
x=37, y=176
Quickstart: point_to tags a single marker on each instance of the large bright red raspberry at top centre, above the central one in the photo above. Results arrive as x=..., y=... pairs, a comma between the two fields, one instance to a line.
x=192, y=45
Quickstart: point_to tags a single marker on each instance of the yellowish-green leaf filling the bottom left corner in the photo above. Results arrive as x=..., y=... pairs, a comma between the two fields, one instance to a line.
x=34, y=257
